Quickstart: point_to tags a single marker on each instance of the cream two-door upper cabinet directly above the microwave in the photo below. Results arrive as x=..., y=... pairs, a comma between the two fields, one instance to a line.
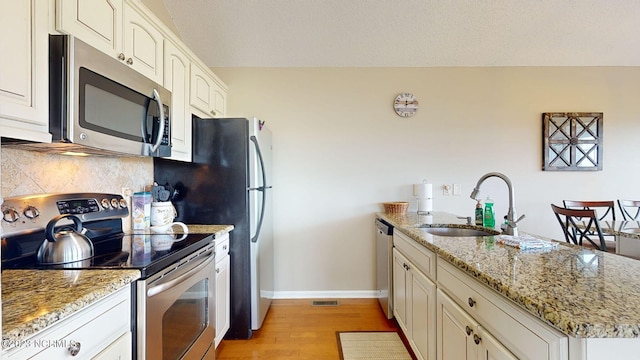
x=115, y=28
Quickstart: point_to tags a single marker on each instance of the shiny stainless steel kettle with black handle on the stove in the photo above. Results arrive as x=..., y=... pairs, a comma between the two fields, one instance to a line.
x=65, y=246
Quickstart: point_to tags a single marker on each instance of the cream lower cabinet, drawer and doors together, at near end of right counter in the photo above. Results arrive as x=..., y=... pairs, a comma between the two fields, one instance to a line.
x=489, y=326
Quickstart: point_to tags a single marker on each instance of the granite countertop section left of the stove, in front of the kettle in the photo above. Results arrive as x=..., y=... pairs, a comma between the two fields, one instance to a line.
x=35, y=299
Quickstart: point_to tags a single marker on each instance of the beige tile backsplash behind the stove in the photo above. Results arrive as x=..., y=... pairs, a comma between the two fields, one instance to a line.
x=29, y=172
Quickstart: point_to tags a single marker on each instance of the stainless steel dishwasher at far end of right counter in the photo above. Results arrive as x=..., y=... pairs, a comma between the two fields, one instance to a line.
x=384, y=266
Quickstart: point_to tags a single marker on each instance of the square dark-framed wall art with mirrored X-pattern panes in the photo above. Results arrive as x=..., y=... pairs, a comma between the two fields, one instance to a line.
x=572, y=141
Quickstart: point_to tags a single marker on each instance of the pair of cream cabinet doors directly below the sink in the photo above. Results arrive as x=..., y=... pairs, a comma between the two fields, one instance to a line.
x=414, y=302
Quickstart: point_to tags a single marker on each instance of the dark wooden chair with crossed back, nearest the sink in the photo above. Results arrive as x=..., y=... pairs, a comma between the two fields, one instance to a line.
x=579, y=225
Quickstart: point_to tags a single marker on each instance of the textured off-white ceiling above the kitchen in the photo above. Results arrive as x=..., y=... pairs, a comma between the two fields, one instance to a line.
x=409, y=33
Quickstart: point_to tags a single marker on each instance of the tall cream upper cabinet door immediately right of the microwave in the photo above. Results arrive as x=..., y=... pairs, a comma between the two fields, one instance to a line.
x=176, y=80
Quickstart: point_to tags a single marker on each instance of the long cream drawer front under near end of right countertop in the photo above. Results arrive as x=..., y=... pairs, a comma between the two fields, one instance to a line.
x=527, y=337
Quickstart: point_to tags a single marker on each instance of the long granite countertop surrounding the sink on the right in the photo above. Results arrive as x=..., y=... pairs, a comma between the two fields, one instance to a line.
x=582, y=292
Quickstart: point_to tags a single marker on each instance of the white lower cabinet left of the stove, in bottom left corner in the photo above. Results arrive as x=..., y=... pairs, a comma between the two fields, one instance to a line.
x=100, y=331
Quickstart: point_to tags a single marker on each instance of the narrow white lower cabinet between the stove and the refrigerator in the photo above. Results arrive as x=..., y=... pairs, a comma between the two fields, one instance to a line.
x=223, y=288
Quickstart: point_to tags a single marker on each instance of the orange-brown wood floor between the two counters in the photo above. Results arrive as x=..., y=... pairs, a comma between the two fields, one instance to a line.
x=294, y=329
